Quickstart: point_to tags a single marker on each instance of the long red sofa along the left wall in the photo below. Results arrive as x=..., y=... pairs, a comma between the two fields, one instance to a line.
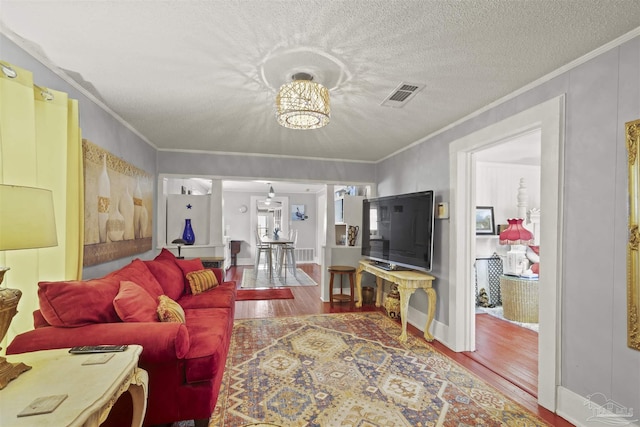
x=185, y=361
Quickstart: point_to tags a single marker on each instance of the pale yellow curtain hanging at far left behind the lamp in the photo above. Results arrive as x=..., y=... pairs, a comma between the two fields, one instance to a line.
x=39, y=147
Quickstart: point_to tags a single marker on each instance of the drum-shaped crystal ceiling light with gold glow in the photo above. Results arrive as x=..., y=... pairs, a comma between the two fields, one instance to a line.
x=303, y=104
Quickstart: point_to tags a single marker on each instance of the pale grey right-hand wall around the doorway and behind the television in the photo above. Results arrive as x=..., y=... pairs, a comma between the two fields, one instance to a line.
x=601, y=96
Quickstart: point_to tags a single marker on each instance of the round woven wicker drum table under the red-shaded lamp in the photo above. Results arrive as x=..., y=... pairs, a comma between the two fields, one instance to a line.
x=519, y=299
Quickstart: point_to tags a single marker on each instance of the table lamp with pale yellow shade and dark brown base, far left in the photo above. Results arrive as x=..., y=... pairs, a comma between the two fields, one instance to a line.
x=27, y=221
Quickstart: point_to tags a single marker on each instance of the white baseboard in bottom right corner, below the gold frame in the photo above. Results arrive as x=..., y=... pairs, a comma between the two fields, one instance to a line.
x=585, y=412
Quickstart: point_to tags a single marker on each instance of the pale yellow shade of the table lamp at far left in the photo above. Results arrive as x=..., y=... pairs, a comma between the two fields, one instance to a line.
x=27, y=218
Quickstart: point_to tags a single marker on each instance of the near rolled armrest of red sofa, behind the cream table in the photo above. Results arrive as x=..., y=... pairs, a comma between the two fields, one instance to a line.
x=161, y=341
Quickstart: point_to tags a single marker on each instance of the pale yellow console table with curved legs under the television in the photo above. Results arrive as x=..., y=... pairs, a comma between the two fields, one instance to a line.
x=407, y=281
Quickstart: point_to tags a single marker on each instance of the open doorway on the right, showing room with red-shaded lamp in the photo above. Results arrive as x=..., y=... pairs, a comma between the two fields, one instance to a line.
x=507, y=184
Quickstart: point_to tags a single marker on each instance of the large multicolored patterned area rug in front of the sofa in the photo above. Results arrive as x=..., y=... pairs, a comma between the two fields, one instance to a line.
x=350, y=370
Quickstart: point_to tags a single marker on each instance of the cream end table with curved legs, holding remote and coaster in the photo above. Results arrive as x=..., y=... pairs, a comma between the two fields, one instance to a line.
x=92, y=389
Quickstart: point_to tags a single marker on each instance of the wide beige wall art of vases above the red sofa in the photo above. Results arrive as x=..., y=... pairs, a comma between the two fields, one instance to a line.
x=118, y=207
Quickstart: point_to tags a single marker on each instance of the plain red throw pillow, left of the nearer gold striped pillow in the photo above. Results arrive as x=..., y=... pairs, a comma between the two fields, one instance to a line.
x=134, y=304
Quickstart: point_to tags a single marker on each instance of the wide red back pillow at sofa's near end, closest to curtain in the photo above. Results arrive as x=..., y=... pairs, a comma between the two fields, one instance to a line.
x=78, y=303
